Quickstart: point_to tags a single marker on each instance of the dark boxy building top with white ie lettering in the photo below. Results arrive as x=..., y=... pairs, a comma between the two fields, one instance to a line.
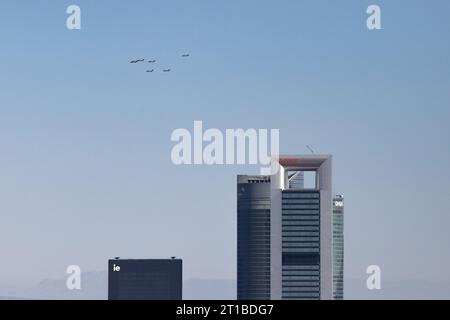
x=145, y=279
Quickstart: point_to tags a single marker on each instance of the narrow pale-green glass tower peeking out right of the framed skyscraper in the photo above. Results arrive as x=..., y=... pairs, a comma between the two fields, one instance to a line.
x=338, y=247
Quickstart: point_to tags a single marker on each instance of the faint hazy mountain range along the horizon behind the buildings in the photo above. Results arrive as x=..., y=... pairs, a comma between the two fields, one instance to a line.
x=95, y=287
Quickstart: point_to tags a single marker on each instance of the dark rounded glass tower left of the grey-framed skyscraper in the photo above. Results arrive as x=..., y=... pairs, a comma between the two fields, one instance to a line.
x=253, y=209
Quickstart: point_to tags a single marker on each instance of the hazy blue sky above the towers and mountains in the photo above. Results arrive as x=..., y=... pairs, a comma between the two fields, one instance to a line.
x=85, y=169
